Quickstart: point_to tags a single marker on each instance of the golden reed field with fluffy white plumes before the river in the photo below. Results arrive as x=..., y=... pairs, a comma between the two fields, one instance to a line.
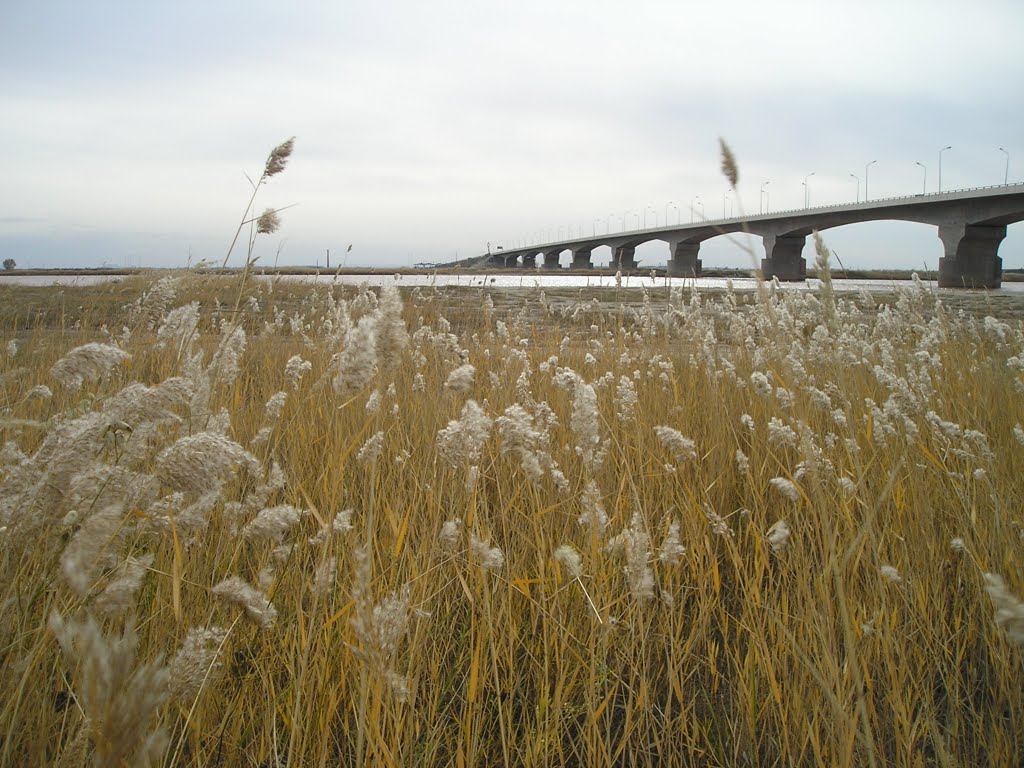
x=251, y=523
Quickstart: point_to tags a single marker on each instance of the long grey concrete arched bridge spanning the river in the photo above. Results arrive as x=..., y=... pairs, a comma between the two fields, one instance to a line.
x=971, y=225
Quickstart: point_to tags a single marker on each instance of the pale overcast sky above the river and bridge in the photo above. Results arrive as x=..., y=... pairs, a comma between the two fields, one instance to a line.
x=426, y=131
